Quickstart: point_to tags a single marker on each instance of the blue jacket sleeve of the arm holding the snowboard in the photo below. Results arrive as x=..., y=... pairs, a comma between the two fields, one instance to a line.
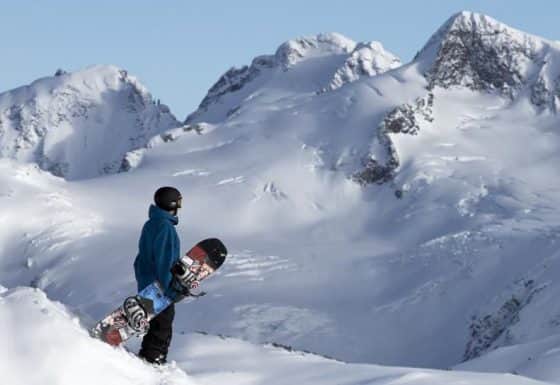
x=166, y=246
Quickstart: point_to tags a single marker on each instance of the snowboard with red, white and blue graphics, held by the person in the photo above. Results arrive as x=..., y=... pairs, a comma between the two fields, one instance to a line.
x=133, y=317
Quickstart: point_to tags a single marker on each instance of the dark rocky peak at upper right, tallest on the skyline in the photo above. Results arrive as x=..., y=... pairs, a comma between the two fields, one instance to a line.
x=478, y=52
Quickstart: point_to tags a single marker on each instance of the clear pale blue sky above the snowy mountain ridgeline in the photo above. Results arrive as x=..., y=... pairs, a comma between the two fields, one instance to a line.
x=178, y=49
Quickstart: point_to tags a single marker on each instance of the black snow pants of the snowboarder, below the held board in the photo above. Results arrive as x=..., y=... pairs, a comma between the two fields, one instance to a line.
x=156, y=343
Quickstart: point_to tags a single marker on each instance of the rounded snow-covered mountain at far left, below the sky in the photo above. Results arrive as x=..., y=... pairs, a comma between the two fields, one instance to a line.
x=80, y=124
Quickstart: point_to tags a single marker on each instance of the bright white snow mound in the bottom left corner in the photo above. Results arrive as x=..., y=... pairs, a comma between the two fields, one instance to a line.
x=52, y=347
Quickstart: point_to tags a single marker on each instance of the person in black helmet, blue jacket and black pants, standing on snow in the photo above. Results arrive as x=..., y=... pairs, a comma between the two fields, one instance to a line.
x=158, y=250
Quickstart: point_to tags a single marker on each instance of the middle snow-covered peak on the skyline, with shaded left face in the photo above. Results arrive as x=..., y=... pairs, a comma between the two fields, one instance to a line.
x=308, y=64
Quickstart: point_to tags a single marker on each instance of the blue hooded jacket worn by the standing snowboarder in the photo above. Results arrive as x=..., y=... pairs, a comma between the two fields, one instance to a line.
x=158, y=249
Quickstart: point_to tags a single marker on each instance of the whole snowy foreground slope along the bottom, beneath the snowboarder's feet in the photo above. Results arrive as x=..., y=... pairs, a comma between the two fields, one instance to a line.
x=67, y=355
